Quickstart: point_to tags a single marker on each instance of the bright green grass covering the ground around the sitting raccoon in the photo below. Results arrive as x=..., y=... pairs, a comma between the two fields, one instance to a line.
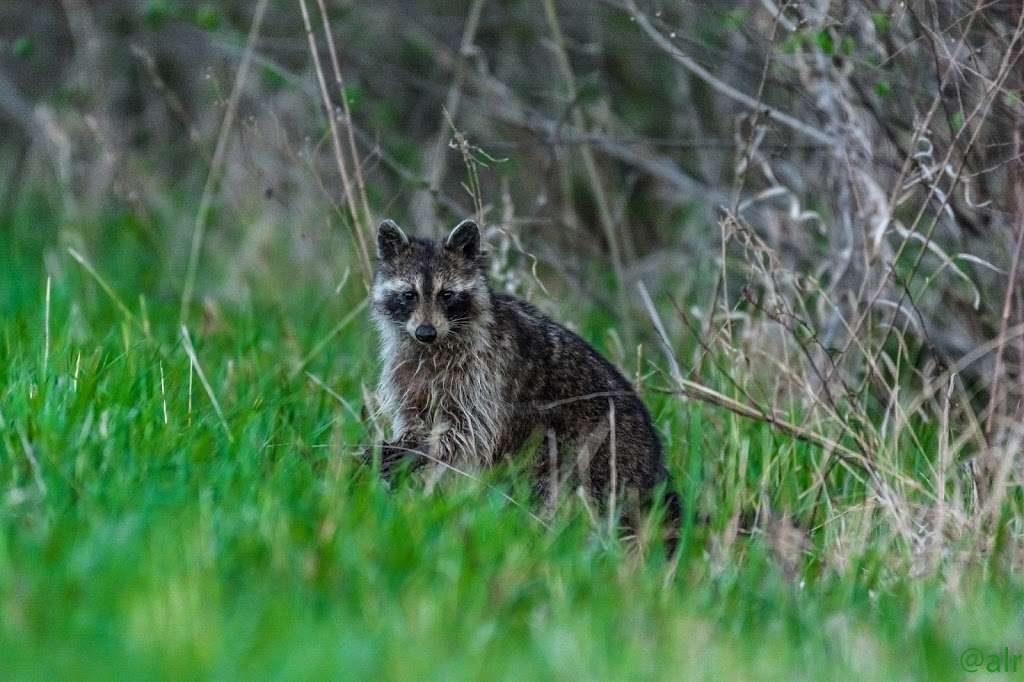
x=139, y=546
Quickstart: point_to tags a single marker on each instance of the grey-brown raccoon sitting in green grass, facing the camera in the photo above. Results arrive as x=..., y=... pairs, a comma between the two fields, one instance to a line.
x=471, y=376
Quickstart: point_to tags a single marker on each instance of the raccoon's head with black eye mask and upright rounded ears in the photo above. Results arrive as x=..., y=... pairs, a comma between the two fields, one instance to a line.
x=436, y=292
